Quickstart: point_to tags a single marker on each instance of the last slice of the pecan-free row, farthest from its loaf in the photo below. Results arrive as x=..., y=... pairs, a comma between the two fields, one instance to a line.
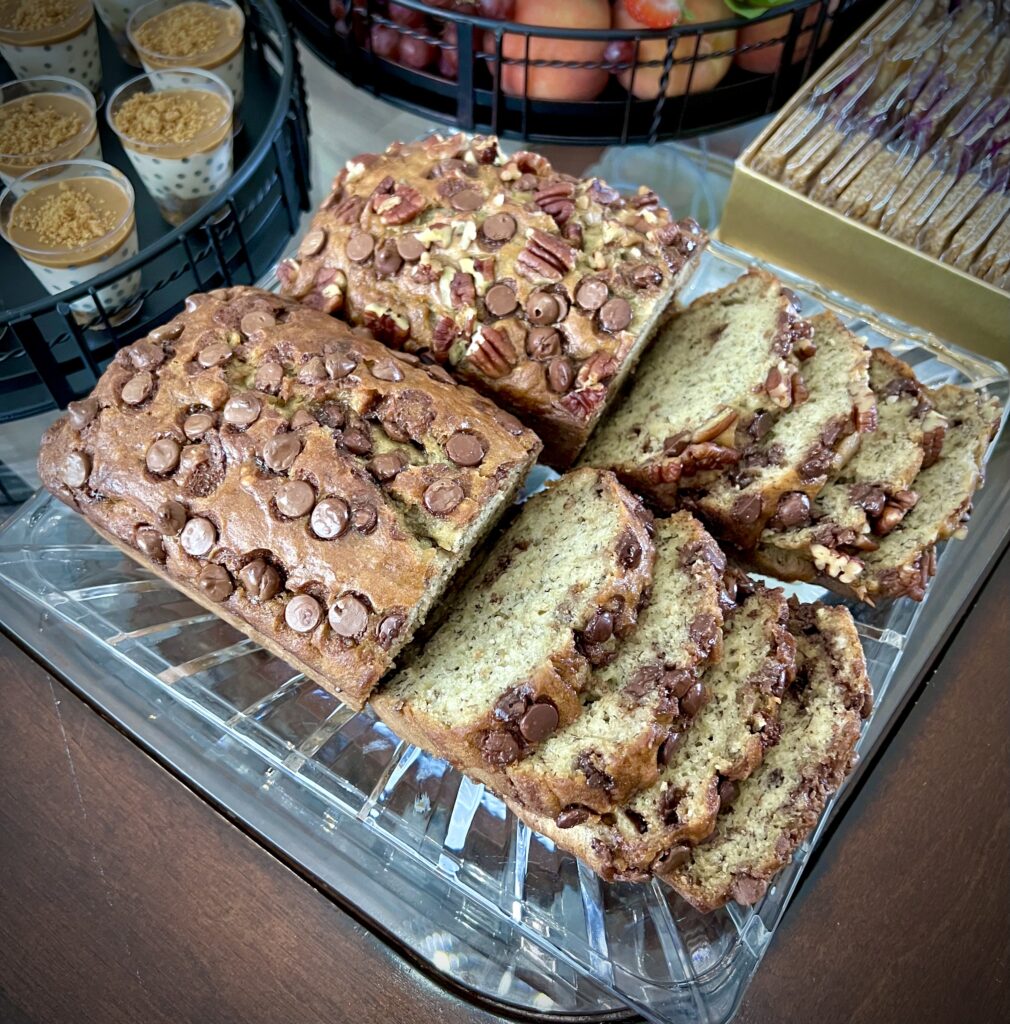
x=776, y=809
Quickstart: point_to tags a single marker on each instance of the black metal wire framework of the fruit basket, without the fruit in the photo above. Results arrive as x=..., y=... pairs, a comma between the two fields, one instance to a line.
x=475, y=101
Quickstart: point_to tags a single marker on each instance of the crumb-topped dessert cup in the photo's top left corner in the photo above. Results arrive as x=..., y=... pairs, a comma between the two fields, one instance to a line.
x=52, y=37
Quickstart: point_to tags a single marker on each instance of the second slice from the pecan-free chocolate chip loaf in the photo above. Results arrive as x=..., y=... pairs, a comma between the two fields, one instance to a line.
x=648, y=695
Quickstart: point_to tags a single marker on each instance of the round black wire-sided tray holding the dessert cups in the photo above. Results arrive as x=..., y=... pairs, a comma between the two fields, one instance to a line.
x=48, y=355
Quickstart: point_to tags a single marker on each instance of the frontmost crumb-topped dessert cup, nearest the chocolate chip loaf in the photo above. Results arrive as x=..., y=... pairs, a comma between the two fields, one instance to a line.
x=70, y=222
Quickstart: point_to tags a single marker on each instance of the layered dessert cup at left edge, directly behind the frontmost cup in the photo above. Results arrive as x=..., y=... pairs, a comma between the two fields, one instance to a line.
x=45, y=120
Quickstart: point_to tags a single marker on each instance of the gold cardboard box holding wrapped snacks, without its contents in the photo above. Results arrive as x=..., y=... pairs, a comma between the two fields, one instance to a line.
x=765, y=218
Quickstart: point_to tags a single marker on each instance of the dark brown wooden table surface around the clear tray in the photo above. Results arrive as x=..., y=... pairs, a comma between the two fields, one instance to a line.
x=124, y=898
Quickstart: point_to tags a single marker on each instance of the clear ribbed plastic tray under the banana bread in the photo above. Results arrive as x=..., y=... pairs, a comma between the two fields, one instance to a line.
x=432, y=860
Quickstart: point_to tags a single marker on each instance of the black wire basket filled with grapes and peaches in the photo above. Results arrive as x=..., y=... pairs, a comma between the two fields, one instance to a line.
x=441, y=60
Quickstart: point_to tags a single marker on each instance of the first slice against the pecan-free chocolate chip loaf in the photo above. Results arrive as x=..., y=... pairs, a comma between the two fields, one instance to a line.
x=509, y=664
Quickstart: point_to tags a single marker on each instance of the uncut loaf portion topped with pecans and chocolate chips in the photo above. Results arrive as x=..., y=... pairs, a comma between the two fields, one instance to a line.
x=539, y=289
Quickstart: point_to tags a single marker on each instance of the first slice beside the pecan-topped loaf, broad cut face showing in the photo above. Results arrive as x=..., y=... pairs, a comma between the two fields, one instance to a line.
x=731, y=356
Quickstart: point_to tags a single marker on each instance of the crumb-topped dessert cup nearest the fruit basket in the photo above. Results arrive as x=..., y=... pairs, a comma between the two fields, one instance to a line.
x=203, y=34
